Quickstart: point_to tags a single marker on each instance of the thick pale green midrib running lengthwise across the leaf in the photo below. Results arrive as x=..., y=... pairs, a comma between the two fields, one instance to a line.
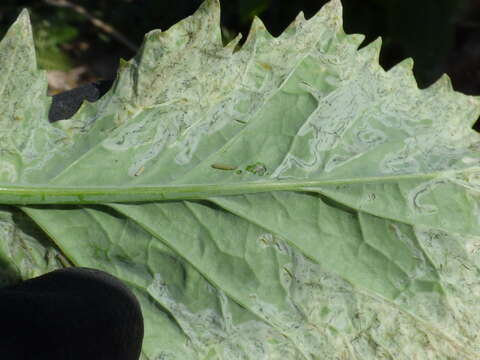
x=51, y=194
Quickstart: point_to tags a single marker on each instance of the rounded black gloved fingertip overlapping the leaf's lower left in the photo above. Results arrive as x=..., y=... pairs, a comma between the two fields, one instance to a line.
x=72, y=313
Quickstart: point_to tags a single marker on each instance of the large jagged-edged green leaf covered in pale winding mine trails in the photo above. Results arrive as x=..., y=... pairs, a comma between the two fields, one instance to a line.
x=287, y=200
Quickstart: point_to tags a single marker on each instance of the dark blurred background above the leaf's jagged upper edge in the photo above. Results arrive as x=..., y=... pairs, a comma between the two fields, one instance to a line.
x=82, y=41
